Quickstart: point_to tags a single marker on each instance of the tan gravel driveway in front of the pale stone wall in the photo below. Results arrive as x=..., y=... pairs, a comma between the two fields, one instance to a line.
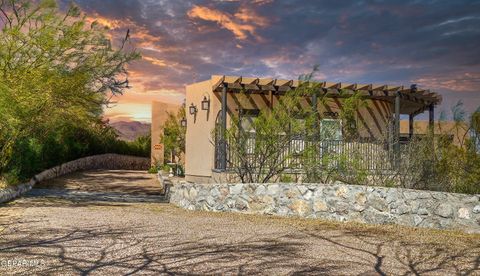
x=41, y=235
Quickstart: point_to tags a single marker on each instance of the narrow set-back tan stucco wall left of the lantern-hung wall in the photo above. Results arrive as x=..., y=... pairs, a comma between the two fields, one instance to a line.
x=159, y=116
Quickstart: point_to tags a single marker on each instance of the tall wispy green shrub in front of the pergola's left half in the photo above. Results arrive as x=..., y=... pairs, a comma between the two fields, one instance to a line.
x=258, y=145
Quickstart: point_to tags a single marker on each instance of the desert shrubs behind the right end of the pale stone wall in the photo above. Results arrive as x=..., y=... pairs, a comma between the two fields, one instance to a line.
x=432, y=162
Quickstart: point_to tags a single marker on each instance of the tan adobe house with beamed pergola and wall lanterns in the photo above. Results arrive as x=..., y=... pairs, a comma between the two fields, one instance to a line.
x=213, y=102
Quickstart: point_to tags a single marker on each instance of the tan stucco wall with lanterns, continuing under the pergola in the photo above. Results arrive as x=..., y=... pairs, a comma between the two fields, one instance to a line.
x=372, y=120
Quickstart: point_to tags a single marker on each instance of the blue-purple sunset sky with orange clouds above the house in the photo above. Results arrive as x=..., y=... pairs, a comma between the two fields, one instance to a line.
x=435, y=44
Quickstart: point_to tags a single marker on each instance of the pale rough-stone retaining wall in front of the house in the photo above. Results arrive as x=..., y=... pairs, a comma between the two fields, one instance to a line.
x=340, y=202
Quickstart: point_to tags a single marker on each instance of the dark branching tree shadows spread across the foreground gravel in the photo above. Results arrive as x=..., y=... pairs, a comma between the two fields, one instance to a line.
x=123, y=251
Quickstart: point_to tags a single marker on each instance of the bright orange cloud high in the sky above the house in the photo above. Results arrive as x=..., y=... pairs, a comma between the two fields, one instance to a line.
x=241, y=24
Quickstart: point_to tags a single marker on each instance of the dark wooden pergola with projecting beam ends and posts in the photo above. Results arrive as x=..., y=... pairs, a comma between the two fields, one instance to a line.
x=408, y=100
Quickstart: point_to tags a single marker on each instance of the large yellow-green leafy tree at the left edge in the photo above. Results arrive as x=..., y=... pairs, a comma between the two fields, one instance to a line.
x=57, y=72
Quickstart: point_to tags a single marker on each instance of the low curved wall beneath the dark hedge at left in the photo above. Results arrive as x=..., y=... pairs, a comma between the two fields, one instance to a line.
x=103, y=161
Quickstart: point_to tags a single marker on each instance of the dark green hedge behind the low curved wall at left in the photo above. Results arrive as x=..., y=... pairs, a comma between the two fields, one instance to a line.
x=32, y=155
